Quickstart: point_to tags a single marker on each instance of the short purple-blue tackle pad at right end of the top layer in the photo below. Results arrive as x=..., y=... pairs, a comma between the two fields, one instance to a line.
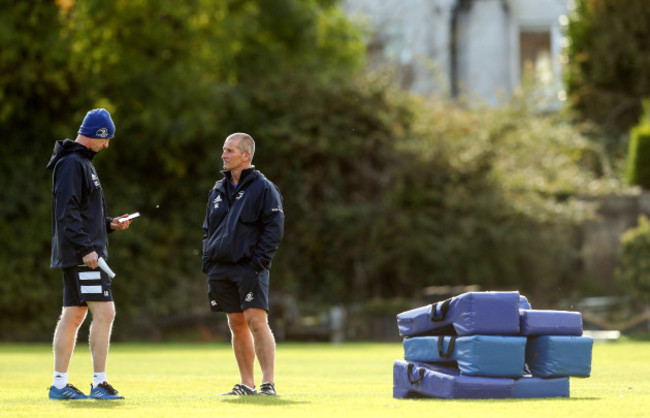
x=547, y=322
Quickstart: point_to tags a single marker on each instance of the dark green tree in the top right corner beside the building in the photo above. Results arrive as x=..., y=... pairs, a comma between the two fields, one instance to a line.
x=608, y=56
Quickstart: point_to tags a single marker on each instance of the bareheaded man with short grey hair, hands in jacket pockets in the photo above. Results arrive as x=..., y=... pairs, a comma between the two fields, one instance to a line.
x=243, y=226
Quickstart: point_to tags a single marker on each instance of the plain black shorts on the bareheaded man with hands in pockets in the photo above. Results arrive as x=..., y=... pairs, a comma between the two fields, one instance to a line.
x=233, y=288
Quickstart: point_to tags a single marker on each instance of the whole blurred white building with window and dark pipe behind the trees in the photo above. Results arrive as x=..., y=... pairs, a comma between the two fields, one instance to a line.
x=483, y=49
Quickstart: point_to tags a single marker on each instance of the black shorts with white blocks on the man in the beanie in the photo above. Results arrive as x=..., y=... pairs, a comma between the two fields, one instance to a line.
x=82, y=284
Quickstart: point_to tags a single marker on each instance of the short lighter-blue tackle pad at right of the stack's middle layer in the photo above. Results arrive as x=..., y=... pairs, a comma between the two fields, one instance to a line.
x=559, y=355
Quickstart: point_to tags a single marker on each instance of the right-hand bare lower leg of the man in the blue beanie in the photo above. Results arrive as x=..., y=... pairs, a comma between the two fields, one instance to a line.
x=100, y=333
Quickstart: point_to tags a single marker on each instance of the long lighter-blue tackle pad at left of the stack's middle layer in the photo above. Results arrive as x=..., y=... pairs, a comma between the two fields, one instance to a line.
x=475, y=355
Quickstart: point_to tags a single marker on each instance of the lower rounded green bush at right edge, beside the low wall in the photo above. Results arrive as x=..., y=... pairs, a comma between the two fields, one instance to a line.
x=634, y=271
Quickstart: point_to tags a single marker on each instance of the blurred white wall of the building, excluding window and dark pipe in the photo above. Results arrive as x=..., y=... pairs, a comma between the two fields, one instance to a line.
x=419, y=38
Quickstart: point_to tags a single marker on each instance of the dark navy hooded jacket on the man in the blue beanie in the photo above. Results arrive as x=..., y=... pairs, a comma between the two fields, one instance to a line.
x=79, y=222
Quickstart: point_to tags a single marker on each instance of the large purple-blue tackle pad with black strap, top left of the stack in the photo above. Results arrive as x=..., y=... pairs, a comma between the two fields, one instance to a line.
x=485, y=313
